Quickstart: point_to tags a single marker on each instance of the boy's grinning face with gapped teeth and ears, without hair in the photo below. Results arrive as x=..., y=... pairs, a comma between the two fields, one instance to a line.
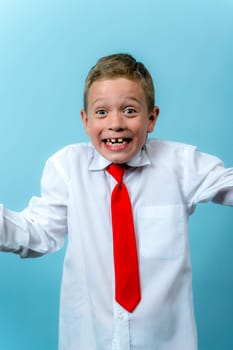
x=117, y=118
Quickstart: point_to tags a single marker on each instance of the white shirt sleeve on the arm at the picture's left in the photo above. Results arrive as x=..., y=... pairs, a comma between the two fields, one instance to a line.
x=42, y=226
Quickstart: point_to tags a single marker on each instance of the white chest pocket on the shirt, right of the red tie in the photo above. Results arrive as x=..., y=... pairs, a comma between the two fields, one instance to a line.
x=161, y=231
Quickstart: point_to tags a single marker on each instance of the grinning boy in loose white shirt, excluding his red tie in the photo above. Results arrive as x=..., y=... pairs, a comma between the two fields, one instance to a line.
x=165, y=181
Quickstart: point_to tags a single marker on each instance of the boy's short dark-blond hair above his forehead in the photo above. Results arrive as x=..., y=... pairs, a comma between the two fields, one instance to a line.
x=121, y=65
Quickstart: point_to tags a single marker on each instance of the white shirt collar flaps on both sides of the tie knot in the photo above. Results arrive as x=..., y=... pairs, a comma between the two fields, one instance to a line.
x=98, y=162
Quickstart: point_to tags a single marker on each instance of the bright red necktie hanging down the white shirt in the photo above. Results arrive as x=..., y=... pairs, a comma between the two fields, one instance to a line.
x=127, y=285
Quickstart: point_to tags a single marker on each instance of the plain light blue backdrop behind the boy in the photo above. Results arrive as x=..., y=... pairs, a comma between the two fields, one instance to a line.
x=46, y=50
